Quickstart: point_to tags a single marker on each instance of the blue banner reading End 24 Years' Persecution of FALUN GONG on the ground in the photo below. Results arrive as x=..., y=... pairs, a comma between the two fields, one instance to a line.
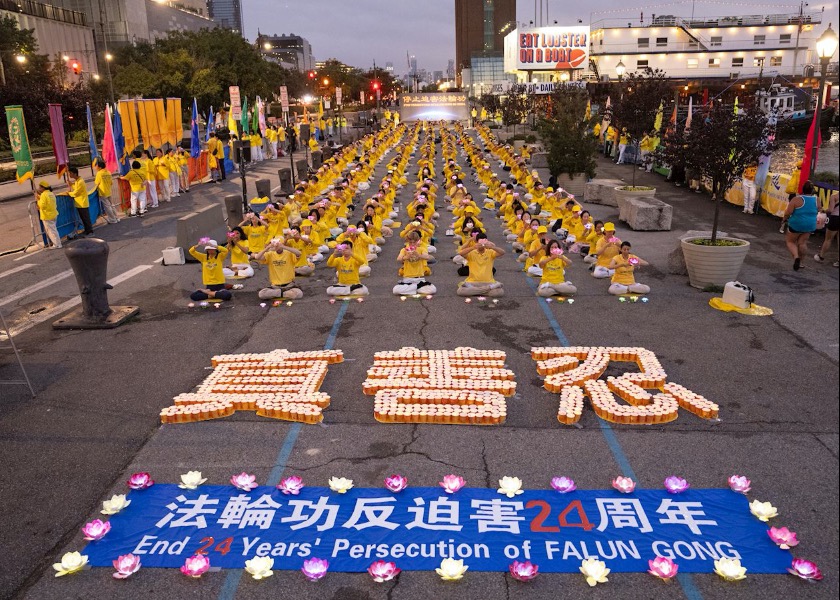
x=418, y=527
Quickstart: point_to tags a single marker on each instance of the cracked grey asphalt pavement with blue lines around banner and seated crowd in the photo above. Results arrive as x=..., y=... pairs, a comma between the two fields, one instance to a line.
x=95, y=419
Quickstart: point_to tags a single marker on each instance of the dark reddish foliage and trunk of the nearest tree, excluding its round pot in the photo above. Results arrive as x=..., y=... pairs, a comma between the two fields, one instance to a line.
x=719, y=146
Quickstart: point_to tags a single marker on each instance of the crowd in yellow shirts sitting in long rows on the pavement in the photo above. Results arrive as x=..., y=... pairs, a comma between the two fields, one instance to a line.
x=315, y=224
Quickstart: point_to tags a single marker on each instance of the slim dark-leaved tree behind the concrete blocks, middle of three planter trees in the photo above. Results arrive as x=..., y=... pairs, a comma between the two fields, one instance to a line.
x=641, y=95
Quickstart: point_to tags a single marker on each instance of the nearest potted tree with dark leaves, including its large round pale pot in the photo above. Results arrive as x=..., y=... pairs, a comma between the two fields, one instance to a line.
x=718, y=145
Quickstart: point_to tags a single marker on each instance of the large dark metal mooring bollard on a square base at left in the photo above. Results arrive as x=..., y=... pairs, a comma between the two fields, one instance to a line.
x=89, y=259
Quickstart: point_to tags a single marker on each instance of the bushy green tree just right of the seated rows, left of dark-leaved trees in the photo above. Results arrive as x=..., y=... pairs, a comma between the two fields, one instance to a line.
x=570, y=146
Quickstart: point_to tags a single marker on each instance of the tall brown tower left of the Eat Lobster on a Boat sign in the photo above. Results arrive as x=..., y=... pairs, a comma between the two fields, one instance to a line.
x=480, y=28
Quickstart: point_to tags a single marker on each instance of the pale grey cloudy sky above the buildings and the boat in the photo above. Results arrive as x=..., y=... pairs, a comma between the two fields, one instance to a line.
x=359, y=31
